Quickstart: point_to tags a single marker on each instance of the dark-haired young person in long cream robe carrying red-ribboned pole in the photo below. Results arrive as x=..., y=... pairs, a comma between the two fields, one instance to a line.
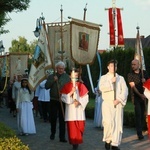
x=114, y=94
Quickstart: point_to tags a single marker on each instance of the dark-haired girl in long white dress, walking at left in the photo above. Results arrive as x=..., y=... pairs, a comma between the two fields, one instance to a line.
x=24, y=107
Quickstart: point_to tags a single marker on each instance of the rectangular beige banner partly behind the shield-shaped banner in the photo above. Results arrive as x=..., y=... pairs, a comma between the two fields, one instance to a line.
x=59, y=40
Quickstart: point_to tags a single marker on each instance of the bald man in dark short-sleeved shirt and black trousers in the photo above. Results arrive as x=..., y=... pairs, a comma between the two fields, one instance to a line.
x=136, y=79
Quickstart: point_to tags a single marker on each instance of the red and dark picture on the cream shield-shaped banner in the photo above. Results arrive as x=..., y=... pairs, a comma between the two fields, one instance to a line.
x=83, y=41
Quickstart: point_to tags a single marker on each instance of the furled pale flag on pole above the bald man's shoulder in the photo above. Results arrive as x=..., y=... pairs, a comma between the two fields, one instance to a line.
x=139, y=51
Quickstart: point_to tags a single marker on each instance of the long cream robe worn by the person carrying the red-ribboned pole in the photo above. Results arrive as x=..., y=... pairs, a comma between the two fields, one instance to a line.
x=113, y=116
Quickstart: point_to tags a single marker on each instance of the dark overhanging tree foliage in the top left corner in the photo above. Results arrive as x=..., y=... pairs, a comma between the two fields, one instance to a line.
x=8, y=6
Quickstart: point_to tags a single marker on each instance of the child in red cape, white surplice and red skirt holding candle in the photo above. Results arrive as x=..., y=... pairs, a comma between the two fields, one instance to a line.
x=75, y=95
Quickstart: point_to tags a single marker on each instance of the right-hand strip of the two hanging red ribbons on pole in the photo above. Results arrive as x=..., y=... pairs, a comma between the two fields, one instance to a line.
x=120, y=30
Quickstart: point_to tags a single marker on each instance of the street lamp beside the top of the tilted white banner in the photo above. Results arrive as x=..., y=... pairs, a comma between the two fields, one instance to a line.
x=38, y=26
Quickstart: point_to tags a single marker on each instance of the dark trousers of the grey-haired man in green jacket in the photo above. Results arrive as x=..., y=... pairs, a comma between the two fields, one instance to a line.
x=56, y=112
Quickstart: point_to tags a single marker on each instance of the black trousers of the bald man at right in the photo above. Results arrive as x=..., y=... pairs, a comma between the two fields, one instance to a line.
x=139, y=108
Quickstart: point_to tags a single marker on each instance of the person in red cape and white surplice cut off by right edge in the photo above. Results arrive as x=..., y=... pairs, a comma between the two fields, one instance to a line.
x=146, y=86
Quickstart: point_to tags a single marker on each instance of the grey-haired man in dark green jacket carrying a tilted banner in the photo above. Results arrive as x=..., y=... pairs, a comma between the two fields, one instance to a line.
x=55, y=82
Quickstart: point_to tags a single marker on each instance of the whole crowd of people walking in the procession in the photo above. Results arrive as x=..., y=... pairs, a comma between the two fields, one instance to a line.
x=64, y=97
